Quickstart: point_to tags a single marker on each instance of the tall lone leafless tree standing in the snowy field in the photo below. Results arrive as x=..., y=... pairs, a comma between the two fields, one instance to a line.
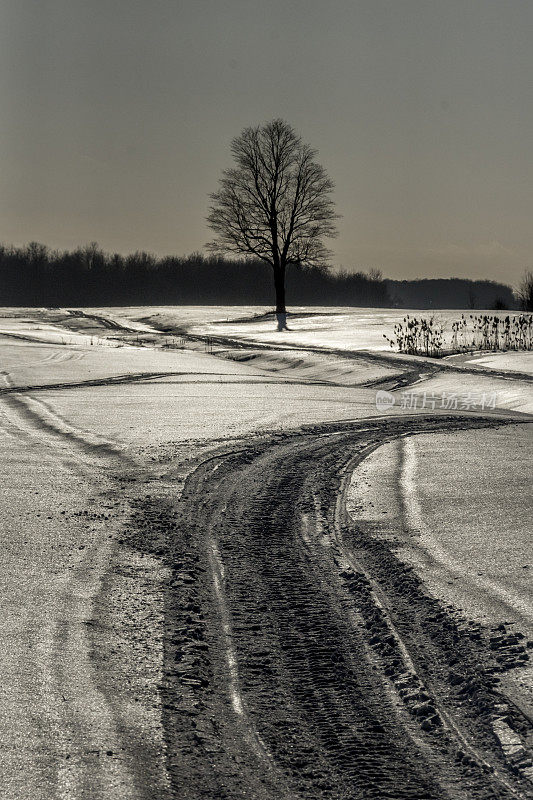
x=274, y=204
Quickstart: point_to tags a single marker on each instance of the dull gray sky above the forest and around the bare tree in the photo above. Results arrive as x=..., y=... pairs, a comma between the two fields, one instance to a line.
x=117, y=117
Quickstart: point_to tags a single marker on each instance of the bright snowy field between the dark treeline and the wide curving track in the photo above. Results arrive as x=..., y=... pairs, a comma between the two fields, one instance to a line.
x=145, y=395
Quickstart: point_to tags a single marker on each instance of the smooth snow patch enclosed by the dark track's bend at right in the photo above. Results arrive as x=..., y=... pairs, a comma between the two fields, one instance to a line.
x=463, y=521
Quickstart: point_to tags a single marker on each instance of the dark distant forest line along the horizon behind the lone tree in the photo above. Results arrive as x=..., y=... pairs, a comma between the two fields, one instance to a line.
x=34, y=275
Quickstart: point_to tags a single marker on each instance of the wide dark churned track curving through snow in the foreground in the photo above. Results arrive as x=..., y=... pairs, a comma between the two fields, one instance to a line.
x=302, y=659
